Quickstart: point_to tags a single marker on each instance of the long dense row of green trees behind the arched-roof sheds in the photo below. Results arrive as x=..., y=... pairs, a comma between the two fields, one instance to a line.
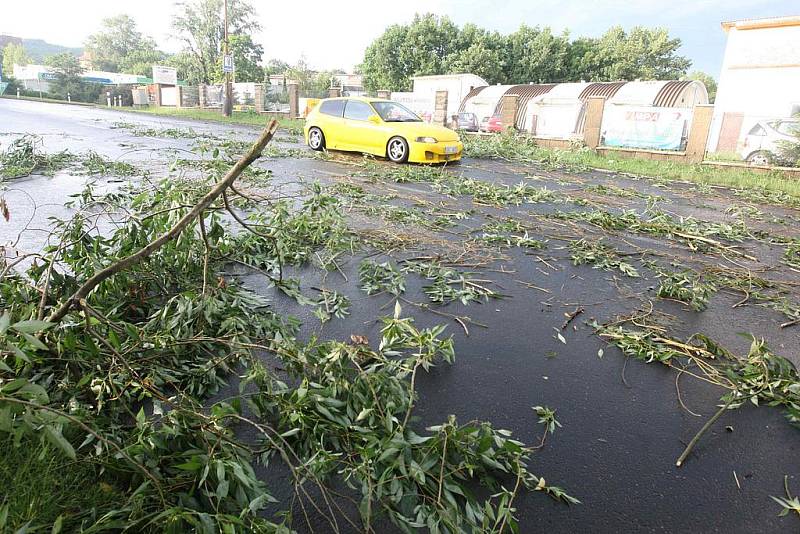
x=431, y=44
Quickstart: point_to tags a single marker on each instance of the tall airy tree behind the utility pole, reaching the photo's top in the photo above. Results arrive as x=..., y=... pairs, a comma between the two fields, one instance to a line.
x=199, y=24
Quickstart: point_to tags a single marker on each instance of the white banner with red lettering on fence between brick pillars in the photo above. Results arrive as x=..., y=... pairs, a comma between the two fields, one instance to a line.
x=645, y=127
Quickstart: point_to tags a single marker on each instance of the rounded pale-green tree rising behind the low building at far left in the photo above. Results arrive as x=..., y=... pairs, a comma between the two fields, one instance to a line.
x=120, y=47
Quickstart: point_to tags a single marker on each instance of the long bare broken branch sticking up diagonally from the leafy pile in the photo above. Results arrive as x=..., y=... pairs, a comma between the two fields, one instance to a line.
x=205, y=202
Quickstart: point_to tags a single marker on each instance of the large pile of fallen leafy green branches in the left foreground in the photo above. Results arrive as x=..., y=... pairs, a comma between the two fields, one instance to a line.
x=111, y=344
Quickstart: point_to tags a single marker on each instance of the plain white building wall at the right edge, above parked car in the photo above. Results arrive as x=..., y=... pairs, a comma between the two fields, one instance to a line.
x=760, y=75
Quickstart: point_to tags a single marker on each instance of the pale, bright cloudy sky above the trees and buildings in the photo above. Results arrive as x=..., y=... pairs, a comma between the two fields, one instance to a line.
x=332, y=34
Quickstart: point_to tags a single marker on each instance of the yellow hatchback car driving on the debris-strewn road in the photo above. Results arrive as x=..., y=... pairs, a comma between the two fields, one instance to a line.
x=380, y=127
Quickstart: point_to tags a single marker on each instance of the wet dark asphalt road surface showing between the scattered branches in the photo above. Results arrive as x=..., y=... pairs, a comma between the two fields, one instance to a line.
x=623, y=425
